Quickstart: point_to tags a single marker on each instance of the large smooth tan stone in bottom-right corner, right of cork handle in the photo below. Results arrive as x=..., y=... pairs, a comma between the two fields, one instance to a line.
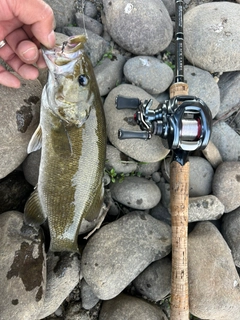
x=214, y=284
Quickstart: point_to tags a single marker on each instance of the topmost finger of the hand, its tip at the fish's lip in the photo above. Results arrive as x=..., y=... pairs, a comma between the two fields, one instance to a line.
x=40, y=16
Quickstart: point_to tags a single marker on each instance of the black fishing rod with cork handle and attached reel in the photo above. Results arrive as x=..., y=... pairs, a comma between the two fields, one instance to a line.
x=184, y=123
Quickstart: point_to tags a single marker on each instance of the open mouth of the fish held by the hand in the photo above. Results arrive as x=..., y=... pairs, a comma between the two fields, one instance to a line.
x=67, y=51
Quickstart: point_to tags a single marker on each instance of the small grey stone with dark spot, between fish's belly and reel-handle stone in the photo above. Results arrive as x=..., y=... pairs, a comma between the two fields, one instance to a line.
x=118, y=161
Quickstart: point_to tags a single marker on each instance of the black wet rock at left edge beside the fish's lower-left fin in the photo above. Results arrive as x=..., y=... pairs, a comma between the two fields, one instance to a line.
x=14, y=192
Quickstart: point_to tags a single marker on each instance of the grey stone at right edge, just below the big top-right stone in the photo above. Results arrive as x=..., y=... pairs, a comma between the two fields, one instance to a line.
x=229, y=84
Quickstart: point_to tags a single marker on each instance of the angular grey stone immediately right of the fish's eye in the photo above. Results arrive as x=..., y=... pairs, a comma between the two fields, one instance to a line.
x=109, y=73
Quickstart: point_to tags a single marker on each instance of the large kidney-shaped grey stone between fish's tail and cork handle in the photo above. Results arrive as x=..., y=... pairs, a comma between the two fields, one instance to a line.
x=113, y=257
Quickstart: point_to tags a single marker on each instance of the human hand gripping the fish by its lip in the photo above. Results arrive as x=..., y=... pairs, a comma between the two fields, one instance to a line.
x=24, y=24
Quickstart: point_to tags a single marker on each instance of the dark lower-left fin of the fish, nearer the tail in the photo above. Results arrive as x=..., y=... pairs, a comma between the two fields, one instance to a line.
x=33, y=213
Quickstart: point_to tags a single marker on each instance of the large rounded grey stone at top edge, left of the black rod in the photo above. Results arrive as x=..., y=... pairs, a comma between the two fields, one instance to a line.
x=126, y=23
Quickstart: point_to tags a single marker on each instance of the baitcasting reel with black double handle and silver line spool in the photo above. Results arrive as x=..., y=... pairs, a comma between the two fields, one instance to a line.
x=184, y=122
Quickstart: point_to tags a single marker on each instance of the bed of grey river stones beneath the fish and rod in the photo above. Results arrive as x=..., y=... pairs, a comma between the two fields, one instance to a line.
x=124, y=270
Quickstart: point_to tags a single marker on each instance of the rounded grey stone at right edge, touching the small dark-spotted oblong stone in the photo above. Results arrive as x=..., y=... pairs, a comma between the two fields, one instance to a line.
x=226, y=185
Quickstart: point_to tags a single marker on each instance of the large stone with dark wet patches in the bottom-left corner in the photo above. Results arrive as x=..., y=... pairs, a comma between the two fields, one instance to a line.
x=23, y=269
